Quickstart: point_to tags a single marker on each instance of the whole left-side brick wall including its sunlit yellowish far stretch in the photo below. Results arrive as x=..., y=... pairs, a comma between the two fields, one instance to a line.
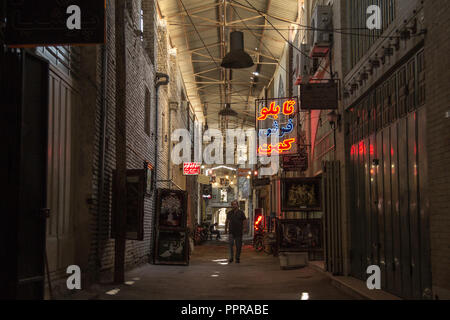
x=141, y=55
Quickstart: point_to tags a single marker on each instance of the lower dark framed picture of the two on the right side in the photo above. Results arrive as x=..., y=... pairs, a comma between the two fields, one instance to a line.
x=300, y=235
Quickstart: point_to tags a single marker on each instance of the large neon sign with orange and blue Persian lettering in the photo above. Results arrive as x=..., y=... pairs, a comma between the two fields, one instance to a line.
x=277, y=117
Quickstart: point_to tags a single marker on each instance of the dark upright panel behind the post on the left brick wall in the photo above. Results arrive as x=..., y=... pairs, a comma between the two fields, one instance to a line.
x=135, y=190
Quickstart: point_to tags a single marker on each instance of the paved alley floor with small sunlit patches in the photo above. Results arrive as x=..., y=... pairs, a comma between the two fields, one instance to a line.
x=210, y=277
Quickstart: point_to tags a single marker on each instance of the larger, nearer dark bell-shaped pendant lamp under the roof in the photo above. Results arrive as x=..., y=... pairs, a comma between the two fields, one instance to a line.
x=237, y=58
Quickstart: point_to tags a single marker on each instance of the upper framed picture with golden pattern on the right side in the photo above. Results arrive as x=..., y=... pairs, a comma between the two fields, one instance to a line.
x=301, y=194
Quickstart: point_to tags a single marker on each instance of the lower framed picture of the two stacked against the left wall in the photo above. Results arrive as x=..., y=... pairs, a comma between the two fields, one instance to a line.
x=172, y=247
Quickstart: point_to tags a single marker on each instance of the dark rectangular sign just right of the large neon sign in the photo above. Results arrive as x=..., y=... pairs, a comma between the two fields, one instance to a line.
x=319, y=96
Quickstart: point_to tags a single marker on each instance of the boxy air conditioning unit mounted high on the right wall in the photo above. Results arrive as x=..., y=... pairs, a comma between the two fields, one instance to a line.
x=322, y=23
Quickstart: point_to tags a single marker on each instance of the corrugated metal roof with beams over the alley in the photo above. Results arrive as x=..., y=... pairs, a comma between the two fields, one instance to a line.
x=203, y=76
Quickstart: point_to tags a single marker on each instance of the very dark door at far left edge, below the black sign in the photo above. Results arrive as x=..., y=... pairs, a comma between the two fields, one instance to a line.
x=24, y=120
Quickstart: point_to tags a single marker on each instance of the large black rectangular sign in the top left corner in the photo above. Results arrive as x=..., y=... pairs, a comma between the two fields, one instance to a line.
x=54, y=22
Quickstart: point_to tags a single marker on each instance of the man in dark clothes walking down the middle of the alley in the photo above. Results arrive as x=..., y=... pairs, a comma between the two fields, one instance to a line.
x=235, y=226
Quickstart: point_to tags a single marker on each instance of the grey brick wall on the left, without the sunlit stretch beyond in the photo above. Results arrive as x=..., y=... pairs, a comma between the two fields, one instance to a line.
x=140, y=146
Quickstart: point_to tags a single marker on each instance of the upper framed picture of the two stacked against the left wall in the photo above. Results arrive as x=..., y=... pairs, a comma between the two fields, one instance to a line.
x=171, y=209
